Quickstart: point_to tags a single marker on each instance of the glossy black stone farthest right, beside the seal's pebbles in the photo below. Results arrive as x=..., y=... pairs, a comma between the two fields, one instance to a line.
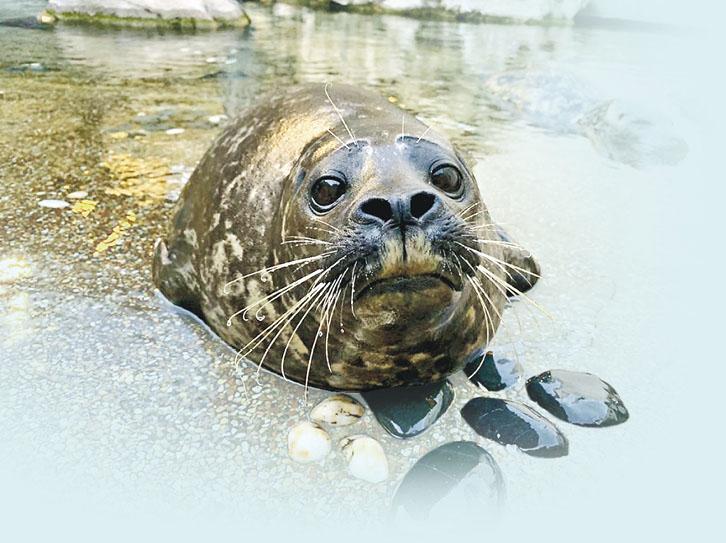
x=579, y=398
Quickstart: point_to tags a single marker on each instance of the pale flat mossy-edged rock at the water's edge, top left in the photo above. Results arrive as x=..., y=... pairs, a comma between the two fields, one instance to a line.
x=186, y=13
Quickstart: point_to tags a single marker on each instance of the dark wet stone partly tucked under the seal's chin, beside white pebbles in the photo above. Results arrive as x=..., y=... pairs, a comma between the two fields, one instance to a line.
x=407, y=411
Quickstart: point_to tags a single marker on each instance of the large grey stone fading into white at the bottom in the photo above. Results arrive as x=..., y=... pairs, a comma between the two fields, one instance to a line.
x=459, y=475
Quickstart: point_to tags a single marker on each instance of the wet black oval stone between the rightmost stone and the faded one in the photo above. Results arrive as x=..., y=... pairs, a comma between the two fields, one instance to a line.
x=512, y=423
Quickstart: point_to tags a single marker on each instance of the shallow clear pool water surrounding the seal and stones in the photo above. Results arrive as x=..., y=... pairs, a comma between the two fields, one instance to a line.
x=115, y=406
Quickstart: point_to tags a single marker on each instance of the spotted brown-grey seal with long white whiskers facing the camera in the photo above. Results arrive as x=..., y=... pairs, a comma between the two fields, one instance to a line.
x=340, y=242
